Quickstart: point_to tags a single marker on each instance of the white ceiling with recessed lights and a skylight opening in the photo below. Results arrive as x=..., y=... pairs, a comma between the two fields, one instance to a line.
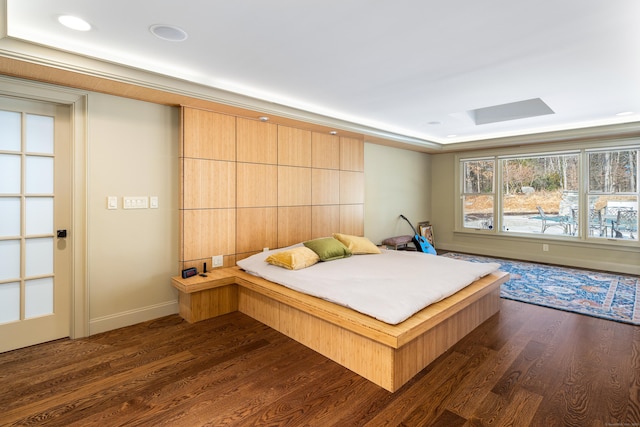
x=412, y=67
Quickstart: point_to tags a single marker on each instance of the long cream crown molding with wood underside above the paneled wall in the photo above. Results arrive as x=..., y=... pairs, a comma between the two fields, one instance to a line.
x=120, y=78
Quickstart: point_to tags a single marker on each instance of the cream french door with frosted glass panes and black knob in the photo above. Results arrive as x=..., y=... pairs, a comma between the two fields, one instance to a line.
x=35, y=213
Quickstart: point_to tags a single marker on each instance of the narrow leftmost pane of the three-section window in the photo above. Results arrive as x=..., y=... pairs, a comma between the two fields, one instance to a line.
x=478, y=194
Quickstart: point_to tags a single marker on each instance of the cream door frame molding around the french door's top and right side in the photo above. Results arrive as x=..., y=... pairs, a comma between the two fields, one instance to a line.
x=77, y=102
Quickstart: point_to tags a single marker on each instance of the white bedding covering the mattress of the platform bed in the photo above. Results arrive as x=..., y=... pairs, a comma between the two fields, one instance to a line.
x=390, y=286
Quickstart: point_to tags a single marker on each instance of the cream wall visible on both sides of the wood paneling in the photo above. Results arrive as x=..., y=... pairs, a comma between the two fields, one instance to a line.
x=132, y=254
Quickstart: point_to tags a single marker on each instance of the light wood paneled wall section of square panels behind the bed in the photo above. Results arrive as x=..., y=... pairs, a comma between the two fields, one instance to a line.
x=248, y=185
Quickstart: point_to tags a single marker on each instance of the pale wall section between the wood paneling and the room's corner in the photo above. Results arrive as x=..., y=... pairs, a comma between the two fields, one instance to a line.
x=397, y=182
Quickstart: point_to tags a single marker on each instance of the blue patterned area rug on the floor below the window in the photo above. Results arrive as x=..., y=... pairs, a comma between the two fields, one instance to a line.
x=606, y=295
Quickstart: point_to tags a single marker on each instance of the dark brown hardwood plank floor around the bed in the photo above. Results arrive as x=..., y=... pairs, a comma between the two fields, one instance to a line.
x=526, y=366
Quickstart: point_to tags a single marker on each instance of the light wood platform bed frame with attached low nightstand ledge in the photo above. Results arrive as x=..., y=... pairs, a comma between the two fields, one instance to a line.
x=387, y=355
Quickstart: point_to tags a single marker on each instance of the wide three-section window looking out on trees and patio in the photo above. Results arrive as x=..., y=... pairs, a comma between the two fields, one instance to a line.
x=586, y=194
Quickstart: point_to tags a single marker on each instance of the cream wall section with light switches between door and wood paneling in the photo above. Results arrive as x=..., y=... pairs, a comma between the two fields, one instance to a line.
x=132, y=254
